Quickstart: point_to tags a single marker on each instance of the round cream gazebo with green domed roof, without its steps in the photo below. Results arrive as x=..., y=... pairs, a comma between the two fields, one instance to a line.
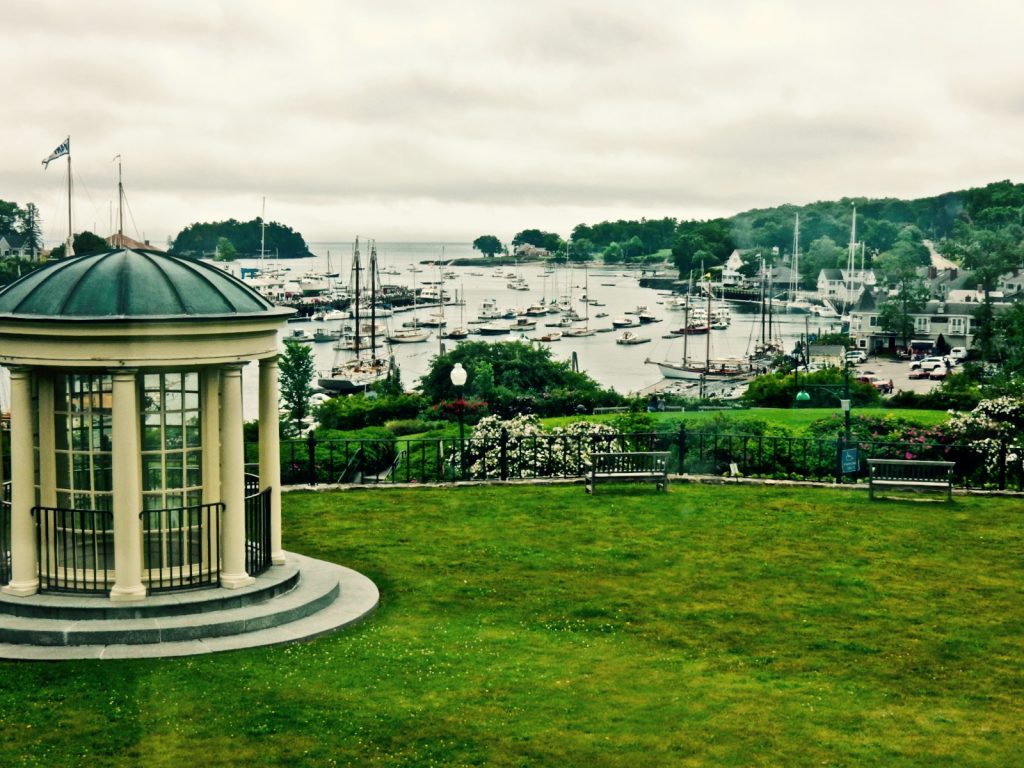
x=129, y=473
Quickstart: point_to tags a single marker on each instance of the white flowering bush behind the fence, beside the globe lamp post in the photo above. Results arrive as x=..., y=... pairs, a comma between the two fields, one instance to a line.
x=534, y=453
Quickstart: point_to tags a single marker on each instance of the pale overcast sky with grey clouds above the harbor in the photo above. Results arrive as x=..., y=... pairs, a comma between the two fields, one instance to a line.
x=446, y=120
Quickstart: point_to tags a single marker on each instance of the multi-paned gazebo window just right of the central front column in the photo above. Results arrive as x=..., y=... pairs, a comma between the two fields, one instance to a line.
x=173, y=470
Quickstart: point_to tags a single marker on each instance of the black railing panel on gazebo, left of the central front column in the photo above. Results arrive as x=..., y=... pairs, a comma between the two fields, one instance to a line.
x=75, y=549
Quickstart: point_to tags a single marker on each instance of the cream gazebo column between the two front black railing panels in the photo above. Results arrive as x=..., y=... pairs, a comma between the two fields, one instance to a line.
x=126, y=475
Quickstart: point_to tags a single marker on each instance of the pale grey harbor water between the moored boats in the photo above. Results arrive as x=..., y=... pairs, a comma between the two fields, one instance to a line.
x=614, y=292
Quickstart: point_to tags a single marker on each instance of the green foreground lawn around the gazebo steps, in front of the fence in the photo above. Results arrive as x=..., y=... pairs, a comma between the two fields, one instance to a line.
x=535, y=626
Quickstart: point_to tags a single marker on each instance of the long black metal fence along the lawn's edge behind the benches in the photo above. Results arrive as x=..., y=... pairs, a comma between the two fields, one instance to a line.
x=312, y=461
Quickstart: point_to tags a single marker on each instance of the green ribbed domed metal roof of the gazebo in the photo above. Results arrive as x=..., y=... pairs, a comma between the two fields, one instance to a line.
x=132, y=284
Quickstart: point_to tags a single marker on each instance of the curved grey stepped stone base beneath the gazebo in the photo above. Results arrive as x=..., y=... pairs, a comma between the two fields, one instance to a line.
x=325, y=599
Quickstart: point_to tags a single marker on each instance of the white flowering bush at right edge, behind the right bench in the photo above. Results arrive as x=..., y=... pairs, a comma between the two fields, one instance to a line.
x=989, y=428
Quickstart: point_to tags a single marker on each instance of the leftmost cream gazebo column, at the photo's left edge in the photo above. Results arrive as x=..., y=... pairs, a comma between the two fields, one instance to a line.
x=24, y=559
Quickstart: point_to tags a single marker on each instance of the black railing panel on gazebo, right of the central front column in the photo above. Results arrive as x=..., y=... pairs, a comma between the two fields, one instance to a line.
x=182, y=547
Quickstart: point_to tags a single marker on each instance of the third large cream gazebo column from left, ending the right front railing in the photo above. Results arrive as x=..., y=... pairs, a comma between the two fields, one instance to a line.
x=233, y=491
